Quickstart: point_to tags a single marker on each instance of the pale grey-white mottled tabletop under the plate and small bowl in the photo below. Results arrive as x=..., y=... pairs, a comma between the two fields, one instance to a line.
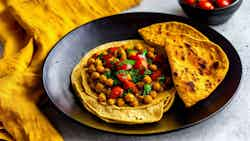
x=232, y=124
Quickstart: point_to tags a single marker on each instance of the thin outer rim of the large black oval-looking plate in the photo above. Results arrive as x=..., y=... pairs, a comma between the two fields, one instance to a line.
x=134, y=134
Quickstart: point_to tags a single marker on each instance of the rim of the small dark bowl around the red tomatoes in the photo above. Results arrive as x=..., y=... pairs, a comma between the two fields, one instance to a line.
x=214, y=10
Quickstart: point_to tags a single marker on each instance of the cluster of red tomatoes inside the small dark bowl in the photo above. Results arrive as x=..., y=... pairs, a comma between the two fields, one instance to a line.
x=208, y=4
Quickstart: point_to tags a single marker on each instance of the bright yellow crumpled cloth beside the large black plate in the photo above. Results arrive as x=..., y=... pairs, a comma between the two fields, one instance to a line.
x=28, y=30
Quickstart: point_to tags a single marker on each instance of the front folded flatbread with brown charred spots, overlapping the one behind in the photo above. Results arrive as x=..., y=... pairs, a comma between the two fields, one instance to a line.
x=197, y=66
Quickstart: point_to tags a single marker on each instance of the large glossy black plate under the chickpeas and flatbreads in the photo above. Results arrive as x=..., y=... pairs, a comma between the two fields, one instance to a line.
x=70, y=49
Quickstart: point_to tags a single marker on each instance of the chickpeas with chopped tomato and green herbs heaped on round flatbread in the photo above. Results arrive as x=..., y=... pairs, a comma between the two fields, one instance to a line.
x=128, y=76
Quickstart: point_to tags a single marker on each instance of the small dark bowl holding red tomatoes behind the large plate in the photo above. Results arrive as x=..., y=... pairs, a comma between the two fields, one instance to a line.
x=211, y=17
